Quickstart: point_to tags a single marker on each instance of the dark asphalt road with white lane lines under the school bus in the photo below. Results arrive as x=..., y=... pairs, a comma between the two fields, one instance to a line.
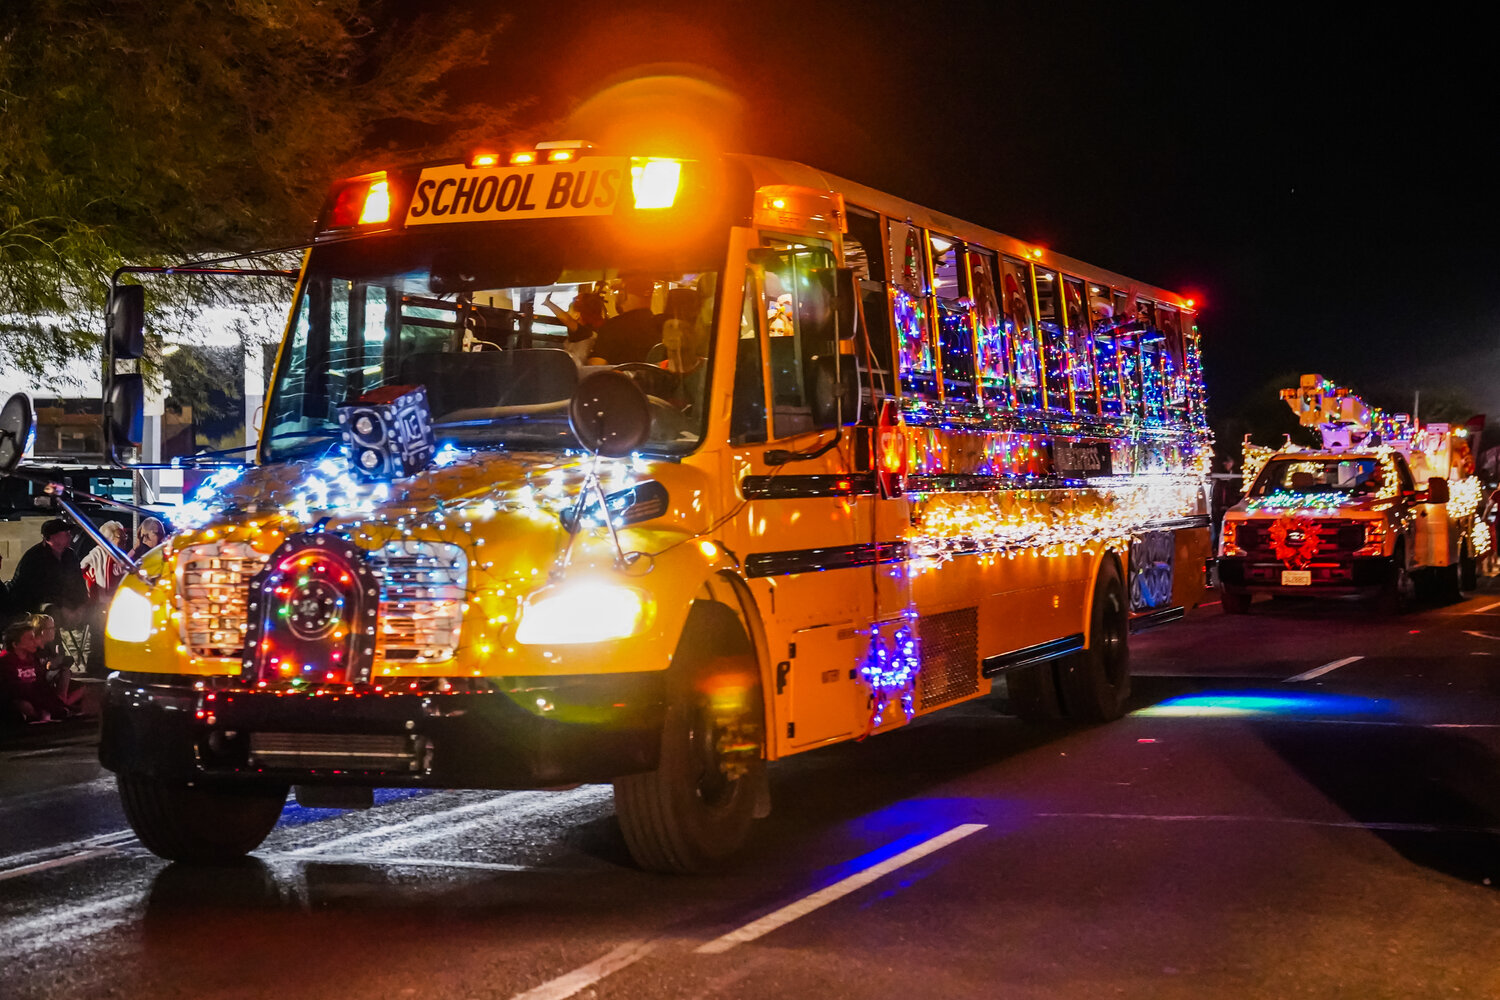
x=1304, y=803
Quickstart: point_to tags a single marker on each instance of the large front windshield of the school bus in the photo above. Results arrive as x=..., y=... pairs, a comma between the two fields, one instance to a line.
x=499, y=328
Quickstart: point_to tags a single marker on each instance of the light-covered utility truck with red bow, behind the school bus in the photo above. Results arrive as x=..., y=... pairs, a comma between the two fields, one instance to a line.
x=1382, y=509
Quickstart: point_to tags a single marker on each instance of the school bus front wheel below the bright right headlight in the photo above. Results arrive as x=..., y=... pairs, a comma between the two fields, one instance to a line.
x=697, y=809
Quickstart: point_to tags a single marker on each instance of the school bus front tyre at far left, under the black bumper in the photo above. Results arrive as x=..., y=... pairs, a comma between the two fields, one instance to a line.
x=199, y=825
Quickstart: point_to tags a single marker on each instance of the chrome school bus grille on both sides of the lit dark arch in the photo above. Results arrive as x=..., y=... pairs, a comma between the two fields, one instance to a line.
x=422, y=591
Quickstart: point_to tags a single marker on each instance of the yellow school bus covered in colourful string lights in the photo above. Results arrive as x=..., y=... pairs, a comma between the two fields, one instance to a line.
x=841, y=463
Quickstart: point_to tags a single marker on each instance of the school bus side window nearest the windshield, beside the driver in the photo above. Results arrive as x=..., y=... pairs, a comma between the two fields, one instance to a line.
x=799, y=305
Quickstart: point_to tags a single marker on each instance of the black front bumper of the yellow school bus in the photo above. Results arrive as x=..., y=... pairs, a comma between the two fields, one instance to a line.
x=493, y=734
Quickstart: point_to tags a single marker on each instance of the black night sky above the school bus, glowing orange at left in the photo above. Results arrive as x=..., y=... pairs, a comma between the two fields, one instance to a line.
x=1321, y=182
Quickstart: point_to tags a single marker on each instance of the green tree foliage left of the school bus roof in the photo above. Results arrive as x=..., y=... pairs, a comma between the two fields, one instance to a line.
x=152, y=131
